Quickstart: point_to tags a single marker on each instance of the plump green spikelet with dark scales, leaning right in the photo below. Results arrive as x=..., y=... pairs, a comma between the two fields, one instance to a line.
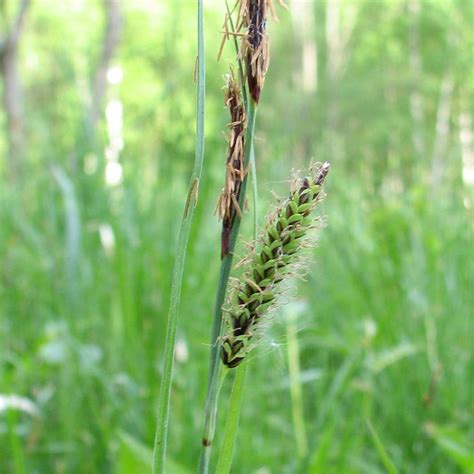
x=270, y=263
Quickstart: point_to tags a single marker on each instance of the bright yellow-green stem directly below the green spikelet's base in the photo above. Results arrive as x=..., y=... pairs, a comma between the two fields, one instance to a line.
x=232, y=421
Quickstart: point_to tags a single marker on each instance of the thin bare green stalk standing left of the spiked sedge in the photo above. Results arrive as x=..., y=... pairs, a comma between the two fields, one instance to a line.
x=159, y=452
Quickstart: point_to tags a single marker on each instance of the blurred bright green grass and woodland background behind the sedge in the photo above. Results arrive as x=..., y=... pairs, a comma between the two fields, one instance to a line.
x=382, y=325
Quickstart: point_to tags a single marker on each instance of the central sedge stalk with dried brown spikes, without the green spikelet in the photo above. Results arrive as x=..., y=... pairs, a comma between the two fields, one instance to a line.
x=253, y=60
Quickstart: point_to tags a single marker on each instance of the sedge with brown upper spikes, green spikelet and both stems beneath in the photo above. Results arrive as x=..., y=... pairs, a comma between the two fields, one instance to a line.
x=257, y=297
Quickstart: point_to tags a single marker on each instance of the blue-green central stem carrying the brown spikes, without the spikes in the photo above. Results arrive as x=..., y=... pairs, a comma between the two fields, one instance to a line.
x=226, y=265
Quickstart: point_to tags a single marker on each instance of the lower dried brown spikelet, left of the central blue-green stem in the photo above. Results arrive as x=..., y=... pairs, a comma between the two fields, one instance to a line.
x=228, y=206
